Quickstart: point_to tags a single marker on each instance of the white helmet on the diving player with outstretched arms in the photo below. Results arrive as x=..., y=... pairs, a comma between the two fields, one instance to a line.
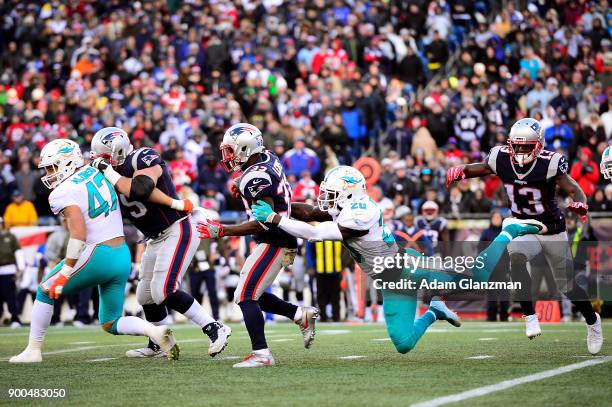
x=342, y=185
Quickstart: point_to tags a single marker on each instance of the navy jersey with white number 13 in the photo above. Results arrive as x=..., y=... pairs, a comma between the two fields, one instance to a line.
x=531, y=188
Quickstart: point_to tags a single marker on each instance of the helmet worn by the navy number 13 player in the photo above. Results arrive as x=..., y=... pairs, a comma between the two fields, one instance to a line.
x=526, y=141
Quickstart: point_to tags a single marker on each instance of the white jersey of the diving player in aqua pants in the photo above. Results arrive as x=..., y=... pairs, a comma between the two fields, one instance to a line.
x=365, y=214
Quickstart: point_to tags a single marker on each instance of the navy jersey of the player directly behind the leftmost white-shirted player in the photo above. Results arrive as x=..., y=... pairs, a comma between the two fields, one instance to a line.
x=149, y=218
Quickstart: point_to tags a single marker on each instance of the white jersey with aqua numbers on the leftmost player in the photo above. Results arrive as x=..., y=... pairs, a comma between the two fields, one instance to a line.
x=95, y=196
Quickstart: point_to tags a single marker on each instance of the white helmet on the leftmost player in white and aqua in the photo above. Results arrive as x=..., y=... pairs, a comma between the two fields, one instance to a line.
x=60, y=159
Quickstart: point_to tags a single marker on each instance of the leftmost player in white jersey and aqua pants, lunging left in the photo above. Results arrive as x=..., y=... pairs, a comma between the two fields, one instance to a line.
x=96, y=254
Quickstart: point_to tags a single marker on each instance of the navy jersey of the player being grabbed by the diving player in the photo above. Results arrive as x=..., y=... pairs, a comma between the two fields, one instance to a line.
x=266, y=179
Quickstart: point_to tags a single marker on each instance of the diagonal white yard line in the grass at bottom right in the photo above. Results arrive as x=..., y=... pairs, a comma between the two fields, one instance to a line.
x=507, y=384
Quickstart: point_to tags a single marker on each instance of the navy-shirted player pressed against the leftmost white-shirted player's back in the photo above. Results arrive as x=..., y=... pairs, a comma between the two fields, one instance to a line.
x=143, y=181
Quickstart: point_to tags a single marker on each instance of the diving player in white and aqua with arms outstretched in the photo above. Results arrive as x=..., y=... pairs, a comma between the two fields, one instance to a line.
x=347, y=214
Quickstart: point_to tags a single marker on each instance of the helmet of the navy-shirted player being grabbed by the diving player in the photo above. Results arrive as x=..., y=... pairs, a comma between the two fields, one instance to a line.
x=240, y=142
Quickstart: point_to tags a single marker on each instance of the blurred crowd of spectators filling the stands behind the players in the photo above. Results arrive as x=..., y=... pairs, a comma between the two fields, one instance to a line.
x=415, y=85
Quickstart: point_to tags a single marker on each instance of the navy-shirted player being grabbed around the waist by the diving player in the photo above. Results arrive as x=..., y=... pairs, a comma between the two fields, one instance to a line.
x=262, y=178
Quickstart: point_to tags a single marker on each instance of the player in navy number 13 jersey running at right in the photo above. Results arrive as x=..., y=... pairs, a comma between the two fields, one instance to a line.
x=531, y=175
